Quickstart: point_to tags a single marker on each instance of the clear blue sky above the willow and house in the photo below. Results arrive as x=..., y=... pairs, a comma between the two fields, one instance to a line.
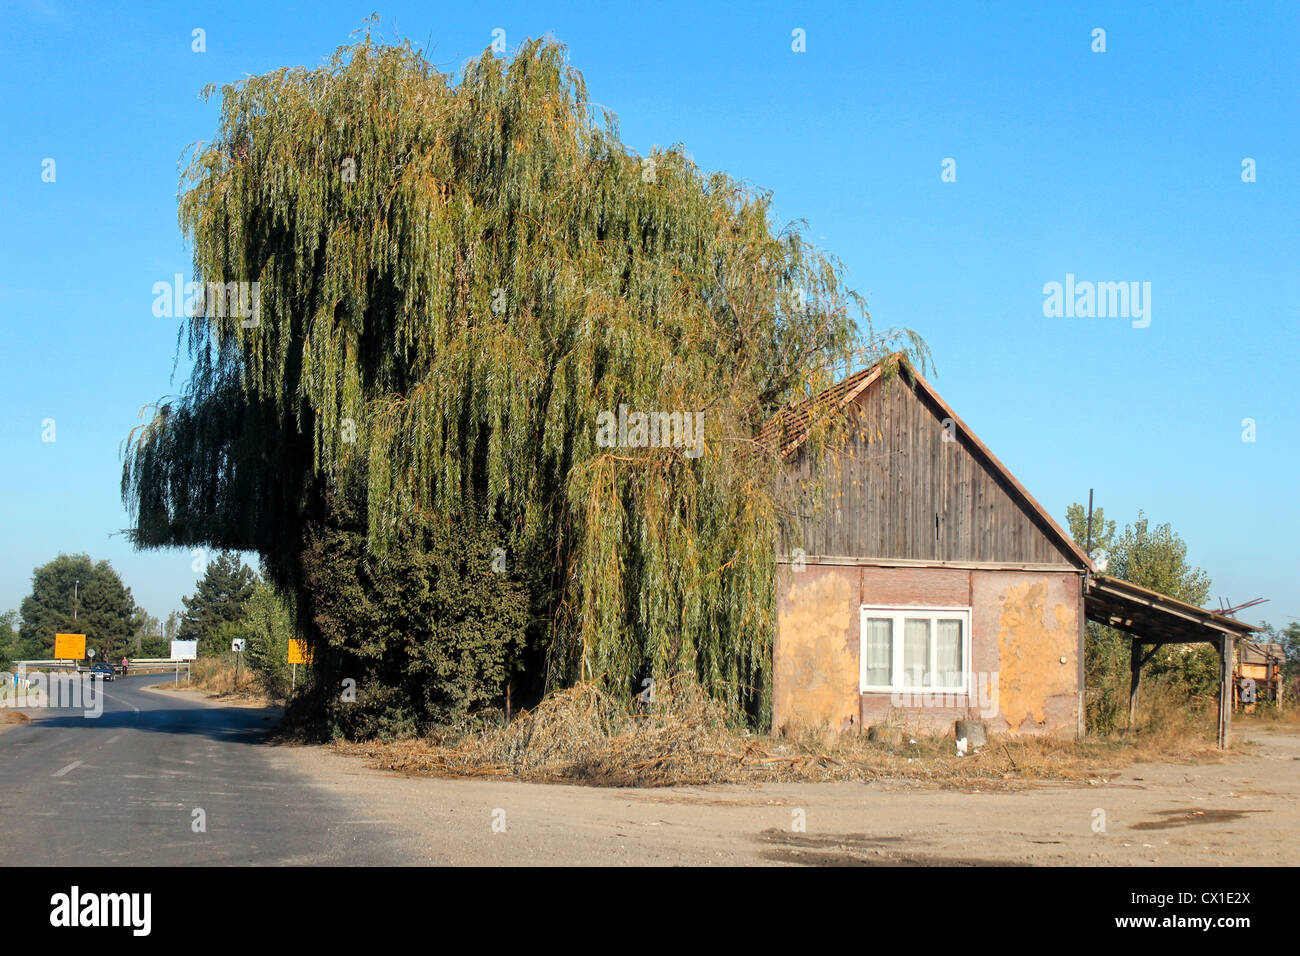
x=1124, y=166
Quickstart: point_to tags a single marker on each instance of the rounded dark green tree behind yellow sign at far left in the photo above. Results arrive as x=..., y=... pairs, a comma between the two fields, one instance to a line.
x=105, y=608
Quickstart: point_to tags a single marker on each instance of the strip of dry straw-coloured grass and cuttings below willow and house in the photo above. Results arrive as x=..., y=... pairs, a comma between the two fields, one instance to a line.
x=582, y=736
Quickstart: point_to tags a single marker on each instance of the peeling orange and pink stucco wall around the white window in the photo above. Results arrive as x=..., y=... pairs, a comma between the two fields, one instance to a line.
x=1025, y=631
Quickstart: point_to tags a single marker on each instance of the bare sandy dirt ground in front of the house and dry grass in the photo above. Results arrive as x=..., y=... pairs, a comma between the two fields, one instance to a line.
x=887, y=821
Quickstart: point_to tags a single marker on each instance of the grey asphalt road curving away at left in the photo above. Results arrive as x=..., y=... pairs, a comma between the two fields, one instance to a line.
x=123, y=789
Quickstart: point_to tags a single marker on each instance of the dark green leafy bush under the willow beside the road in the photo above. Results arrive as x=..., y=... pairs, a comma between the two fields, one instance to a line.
x=430, y=634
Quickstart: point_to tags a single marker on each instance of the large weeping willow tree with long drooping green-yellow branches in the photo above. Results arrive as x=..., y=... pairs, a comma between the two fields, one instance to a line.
x=456, y=280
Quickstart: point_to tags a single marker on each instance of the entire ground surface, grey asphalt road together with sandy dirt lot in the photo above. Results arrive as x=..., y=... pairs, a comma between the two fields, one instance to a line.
x=124, y=789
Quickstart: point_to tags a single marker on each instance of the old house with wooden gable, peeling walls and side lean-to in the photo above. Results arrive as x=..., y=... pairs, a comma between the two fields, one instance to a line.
x=930, y=583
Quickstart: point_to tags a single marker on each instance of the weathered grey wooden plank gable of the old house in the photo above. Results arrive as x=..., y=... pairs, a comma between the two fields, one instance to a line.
x=900, y=491
